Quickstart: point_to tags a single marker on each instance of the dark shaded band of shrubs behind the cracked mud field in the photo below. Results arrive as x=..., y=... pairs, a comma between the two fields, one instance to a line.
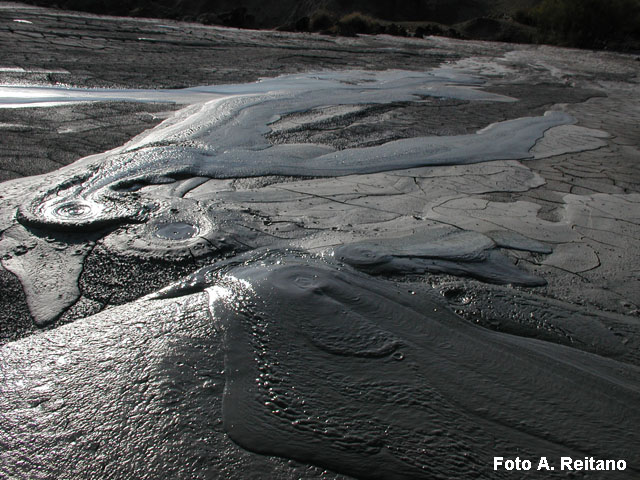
x=612, y=24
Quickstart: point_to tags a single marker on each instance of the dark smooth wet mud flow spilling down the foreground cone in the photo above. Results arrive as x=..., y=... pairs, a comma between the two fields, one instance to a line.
x=365, y=378
